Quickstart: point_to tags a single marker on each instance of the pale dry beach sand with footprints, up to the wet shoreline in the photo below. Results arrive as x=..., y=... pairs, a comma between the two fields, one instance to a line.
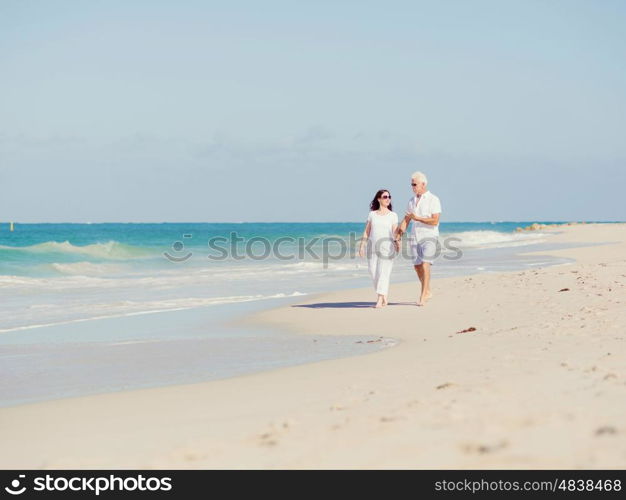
x=539, y=383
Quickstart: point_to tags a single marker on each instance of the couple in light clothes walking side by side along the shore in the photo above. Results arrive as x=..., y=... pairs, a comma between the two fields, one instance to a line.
x=383, y=234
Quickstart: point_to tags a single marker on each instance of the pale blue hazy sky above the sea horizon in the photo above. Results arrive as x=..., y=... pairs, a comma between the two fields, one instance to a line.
x=190, y=111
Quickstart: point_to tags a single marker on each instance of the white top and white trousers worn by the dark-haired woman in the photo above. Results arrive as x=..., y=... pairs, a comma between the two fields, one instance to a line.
x=381, y=250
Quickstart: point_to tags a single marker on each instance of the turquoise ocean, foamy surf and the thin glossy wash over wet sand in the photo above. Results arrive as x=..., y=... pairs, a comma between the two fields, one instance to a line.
x=88, y=308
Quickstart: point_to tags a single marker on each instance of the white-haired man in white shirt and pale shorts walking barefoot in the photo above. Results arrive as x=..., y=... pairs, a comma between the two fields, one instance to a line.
x=424, y=210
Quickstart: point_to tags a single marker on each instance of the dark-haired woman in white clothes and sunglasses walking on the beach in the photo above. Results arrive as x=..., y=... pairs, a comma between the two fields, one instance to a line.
x=379, y=236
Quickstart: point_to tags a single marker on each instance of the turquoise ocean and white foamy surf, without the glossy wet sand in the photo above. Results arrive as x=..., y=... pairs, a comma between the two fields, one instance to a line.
x=53, y=273
